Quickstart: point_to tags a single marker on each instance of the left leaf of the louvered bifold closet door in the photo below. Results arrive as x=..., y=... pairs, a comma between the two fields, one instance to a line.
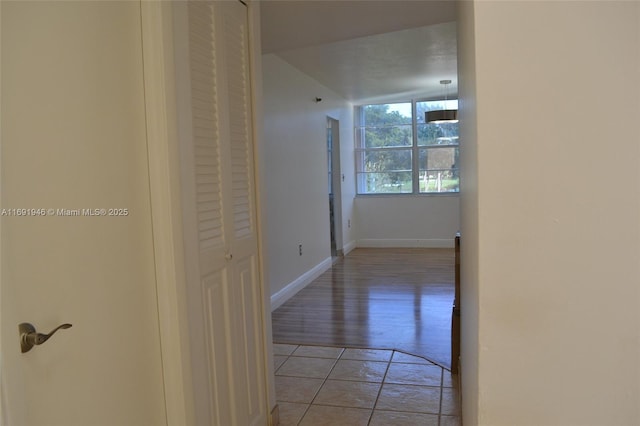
x=206, y=241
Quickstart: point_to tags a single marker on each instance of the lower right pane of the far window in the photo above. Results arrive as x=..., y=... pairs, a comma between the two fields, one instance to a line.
x=439, y=170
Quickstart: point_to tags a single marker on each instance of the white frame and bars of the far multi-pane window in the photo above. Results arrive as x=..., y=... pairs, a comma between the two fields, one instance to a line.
x=360, y=151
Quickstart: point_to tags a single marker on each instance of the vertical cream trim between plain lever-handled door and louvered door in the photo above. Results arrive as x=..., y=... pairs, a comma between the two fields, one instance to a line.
x=164, y=178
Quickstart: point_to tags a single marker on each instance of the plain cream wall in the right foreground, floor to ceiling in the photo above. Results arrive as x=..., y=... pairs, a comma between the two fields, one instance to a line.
x=551, y=213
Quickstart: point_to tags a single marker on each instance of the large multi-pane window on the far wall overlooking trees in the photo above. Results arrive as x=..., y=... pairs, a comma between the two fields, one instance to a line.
x=397, y=152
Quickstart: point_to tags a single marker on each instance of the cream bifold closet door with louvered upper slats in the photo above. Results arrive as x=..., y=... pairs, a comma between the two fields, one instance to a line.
x=214, y=103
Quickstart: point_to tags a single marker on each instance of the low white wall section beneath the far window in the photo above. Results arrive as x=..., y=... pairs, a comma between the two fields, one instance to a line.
x=407, y=221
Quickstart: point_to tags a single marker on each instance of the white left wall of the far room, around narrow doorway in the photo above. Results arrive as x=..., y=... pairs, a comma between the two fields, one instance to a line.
x=294, y=169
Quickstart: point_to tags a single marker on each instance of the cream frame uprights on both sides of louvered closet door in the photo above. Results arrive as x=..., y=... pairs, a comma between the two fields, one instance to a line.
x=166, y=207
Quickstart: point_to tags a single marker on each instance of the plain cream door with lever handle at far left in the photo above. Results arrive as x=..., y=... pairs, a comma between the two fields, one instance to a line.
x=73, y=138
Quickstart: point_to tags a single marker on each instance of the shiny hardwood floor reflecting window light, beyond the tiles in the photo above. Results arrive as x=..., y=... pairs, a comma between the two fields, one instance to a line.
x=397, y=299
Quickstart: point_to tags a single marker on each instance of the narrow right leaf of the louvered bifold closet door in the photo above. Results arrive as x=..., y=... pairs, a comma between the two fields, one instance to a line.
x=245, y=291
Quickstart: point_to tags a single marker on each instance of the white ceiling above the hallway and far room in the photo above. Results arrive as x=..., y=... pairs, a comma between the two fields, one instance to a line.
x=366, y=50
